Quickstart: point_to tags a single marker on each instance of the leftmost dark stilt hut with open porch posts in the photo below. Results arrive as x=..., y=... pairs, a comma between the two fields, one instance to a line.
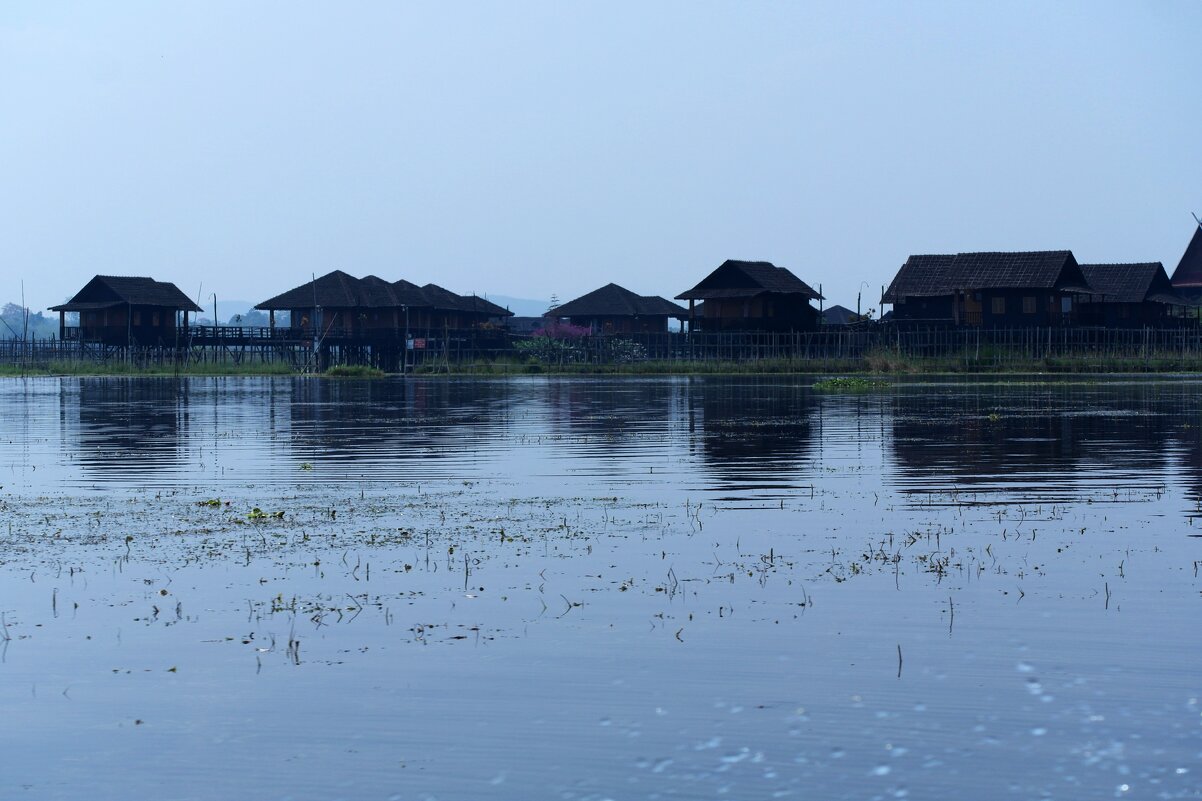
x=128, y=311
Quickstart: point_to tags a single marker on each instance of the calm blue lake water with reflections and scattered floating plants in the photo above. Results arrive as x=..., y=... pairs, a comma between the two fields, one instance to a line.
x=561, y=589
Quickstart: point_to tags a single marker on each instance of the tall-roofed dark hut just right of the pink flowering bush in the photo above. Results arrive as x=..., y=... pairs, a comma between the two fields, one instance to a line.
x=752, y=296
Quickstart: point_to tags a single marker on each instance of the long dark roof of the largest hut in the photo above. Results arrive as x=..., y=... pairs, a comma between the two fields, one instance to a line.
x=947, y=275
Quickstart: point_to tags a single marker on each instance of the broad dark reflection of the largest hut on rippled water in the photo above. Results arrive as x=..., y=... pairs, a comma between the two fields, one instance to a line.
x=977, y=444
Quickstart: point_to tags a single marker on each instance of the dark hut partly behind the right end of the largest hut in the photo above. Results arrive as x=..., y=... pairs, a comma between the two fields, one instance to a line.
x=1128, y=296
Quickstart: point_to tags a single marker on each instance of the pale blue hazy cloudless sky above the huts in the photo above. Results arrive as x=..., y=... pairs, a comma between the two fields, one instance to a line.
x=538, y=149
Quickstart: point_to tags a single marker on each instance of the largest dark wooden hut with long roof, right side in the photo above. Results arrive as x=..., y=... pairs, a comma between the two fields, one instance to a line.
x=989, y=289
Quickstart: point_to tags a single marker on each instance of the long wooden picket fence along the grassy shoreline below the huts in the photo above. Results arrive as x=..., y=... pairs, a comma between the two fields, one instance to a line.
x=978, y=348
